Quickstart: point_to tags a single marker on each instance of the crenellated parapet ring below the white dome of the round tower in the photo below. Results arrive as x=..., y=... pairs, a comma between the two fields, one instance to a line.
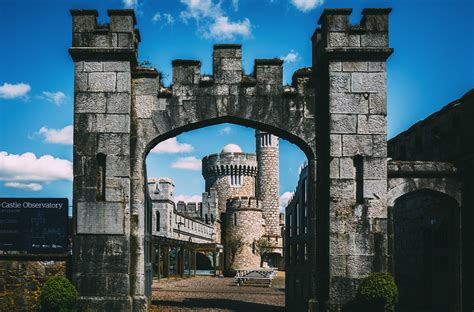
x=231, y=163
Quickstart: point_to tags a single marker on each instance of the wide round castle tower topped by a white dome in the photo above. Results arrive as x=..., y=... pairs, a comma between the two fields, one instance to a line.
x=231, y=173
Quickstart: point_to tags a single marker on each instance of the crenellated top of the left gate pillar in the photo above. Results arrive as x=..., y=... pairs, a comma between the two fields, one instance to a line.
x=119, y=35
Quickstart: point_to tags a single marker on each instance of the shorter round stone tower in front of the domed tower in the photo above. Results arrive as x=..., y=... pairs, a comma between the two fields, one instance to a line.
x=243, y=221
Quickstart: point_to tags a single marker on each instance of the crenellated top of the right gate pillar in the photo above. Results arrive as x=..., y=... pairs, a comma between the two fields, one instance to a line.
x=336, y=34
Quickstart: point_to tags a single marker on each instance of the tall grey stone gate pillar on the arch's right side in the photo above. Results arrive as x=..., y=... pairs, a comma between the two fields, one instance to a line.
x=349, y=66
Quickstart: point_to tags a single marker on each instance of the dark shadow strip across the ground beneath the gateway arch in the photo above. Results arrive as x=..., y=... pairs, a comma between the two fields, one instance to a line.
x=227, y=304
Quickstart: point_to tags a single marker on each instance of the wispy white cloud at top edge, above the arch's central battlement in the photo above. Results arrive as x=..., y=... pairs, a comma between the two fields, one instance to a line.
x=212, y=22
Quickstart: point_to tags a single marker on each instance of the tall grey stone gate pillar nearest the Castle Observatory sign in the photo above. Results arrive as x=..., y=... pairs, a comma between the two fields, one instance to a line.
x=103, y=57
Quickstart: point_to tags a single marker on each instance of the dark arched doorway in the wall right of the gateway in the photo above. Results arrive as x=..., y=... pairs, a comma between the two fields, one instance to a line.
x=427, y=251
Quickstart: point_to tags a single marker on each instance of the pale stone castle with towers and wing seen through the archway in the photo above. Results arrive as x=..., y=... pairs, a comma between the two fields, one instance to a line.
x=240, y=204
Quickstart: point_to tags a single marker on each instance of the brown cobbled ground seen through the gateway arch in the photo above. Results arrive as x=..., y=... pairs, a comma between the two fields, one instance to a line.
x=216, y=294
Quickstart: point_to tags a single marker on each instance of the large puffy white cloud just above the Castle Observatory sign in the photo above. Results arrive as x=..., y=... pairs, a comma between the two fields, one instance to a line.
x=27, y=167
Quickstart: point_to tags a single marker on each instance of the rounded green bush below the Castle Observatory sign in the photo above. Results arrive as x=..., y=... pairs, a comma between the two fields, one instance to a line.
x=58, y=295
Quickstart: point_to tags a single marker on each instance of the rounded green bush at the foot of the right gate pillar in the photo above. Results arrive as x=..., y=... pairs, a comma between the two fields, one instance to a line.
x=378, y=291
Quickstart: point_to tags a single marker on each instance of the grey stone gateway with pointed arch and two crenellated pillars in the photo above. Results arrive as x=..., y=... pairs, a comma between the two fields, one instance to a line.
x=334, y=111
